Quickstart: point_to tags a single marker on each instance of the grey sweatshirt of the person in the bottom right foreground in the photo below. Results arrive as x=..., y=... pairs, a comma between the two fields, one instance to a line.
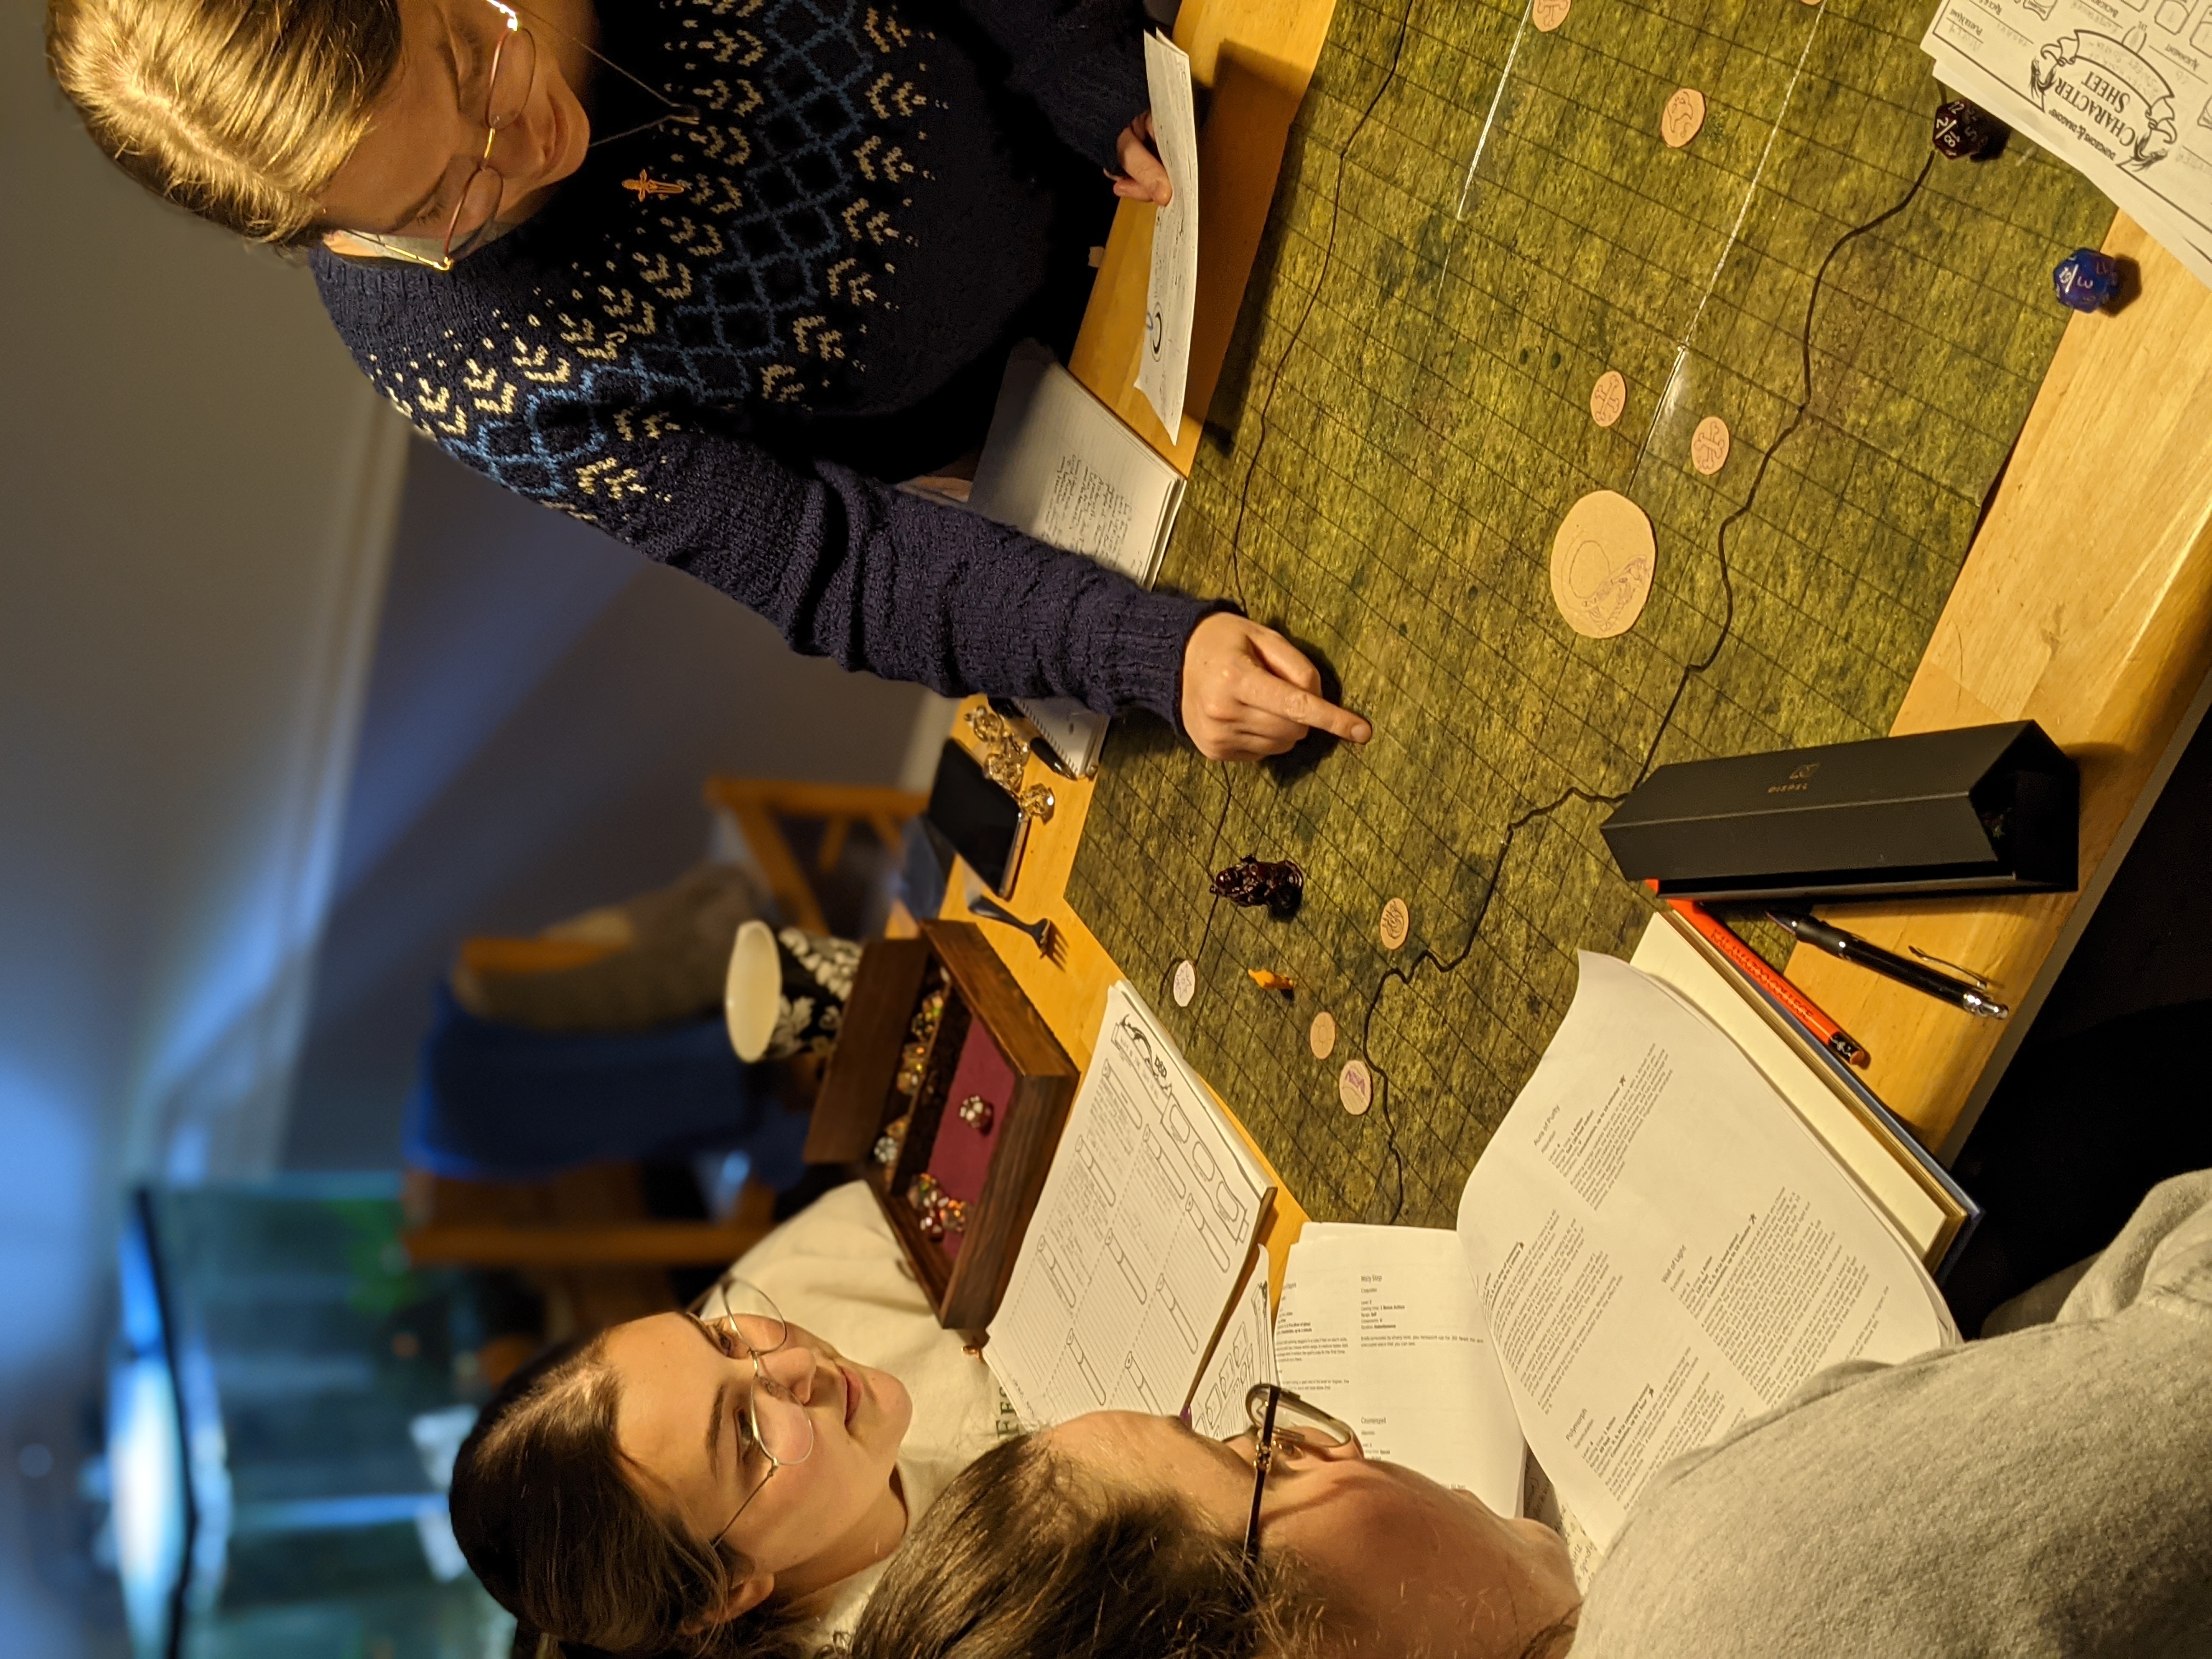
x=2036, y=1494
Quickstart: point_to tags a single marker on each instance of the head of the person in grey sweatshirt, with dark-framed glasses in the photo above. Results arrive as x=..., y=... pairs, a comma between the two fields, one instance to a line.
x=1129, y=1536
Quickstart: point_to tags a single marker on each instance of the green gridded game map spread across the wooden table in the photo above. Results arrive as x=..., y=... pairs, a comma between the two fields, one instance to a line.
x=1457, y=253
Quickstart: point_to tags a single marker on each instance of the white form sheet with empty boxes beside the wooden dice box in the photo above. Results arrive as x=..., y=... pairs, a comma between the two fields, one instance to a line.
x=1138, y=1244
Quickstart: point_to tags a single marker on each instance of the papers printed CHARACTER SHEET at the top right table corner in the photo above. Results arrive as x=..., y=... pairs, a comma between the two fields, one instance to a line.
x=2122, y=98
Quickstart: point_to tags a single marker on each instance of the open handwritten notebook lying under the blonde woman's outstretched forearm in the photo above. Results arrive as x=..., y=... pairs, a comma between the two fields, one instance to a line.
x=1061, y=466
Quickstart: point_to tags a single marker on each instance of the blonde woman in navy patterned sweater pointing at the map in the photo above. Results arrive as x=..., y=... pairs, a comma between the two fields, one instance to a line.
x=711, y=275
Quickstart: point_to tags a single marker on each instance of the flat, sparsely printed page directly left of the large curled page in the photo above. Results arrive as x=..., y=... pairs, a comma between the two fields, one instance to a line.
x=1381, y=1328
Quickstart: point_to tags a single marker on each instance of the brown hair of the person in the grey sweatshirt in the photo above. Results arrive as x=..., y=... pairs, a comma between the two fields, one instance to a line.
x=1027, y=1558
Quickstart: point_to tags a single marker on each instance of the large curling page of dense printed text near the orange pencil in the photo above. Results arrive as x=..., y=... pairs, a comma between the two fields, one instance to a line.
x=1665, y=1249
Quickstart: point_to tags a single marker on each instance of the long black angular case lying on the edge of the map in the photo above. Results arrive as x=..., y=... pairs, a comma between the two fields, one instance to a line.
x=1976, y=811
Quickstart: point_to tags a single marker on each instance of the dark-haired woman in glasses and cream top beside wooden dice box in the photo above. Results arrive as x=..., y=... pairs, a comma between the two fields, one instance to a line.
x=729, y=1481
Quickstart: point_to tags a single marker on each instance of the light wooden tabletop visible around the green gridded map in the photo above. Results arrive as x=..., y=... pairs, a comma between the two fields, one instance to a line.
x=2087, y=601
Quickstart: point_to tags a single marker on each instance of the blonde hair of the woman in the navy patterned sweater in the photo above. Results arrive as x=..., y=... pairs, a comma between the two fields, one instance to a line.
x=236, y=109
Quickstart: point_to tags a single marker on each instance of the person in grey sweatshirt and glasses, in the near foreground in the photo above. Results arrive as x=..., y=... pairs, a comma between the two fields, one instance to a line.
x=2041, y=1492
